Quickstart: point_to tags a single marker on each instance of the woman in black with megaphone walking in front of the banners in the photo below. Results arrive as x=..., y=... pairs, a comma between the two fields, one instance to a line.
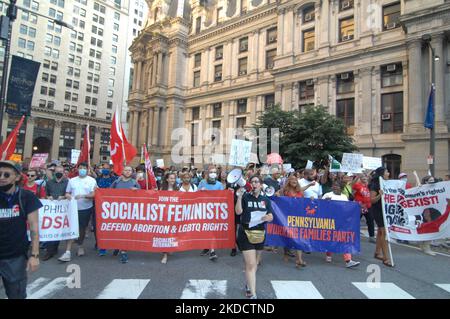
x=255, y=210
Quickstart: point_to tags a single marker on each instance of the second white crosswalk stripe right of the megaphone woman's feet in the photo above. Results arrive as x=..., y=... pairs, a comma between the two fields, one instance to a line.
x=382, y=290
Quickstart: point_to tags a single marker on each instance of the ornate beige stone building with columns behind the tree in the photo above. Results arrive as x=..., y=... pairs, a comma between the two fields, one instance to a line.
x=202, y=65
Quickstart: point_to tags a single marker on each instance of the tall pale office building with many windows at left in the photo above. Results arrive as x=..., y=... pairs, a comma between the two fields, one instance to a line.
x=82, y=74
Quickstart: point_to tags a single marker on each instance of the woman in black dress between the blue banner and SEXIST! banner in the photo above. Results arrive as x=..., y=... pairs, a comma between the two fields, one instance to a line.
x=377, y=212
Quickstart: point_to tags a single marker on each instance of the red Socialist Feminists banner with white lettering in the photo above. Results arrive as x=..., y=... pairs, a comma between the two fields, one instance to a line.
x=164, y=221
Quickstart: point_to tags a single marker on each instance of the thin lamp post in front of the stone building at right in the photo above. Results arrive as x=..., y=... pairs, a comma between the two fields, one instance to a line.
x=427, y=40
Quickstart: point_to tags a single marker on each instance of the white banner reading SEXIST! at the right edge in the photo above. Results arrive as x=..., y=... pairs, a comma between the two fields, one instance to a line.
x=416, y=214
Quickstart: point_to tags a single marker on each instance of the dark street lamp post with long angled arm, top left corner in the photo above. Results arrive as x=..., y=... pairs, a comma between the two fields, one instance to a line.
x=5, y=35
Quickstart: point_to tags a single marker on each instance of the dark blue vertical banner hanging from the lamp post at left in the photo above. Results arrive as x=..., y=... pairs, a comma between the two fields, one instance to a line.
x=22, y=79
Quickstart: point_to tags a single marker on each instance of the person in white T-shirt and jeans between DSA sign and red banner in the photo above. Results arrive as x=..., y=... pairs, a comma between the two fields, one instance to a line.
x=81, y=188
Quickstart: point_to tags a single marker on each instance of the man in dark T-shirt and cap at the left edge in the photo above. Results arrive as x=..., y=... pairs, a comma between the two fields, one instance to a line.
x=17, y=207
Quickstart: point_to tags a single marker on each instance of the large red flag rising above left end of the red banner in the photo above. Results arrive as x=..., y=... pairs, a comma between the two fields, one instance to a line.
x=121, y=150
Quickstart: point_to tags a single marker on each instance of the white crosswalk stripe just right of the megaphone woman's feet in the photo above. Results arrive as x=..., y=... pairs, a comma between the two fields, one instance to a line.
x=295, y=290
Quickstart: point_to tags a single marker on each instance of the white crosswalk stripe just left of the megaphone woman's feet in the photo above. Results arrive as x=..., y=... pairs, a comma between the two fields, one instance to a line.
x=205, y=289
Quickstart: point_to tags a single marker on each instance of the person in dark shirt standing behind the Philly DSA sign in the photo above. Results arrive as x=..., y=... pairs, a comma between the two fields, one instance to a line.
x=56, y=190
